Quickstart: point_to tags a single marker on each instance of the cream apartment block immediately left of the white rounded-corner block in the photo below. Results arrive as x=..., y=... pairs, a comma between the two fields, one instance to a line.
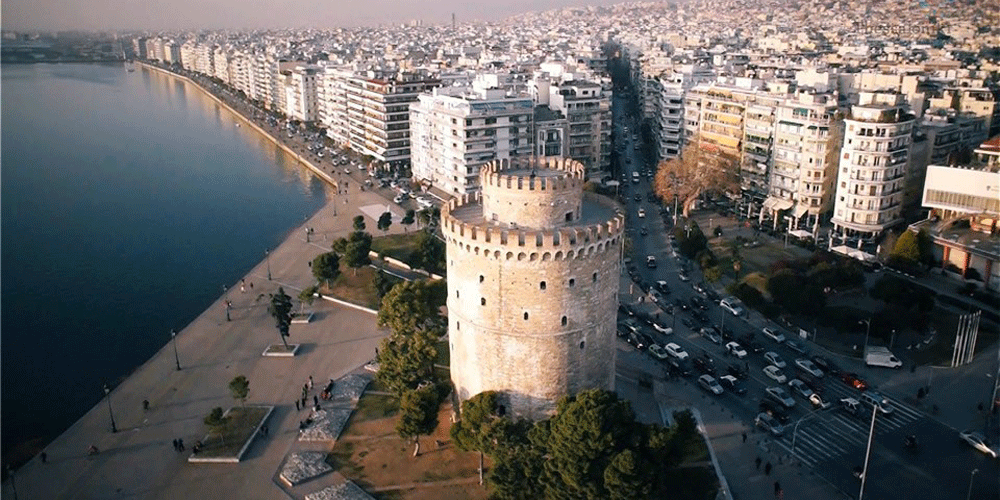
x=805, y=156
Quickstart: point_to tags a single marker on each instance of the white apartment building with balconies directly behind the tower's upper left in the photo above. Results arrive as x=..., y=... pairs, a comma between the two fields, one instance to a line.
x=456, y=130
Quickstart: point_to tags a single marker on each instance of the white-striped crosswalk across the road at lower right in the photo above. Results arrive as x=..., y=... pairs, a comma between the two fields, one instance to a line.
x=832, y=433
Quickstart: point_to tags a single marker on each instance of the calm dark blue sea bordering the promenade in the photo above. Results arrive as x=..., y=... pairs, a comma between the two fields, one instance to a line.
x=128, y=200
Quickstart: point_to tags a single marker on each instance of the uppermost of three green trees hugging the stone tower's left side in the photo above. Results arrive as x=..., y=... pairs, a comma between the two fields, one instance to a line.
x=414, y=307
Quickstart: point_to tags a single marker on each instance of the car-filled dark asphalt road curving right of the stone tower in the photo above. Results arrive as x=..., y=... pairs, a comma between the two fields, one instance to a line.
x=830, y=441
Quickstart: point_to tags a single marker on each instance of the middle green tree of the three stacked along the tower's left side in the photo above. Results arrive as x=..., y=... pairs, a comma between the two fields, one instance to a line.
x=405, y=361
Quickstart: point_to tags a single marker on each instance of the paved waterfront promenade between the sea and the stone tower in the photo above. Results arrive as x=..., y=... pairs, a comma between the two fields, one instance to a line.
x=139, y=461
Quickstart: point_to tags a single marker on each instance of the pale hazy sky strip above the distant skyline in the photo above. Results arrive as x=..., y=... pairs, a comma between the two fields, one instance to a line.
x=198, y=14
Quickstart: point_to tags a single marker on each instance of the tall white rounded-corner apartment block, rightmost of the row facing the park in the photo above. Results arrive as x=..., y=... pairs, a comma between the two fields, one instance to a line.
x=873, y=164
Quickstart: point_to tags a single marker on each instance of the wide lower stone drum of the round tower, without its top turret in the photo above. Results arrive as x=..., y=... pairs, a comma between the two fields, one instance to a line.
x=532, y=312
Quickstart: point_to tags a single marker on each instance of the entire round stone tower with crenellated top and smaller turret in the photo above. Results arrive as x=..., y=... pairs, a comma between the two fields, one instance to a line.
x=533, y=269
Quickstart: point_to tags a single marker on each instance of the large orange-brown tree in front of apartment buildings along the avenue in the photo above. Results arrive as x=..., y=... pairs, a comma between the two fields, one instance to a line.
x=701, y=167
